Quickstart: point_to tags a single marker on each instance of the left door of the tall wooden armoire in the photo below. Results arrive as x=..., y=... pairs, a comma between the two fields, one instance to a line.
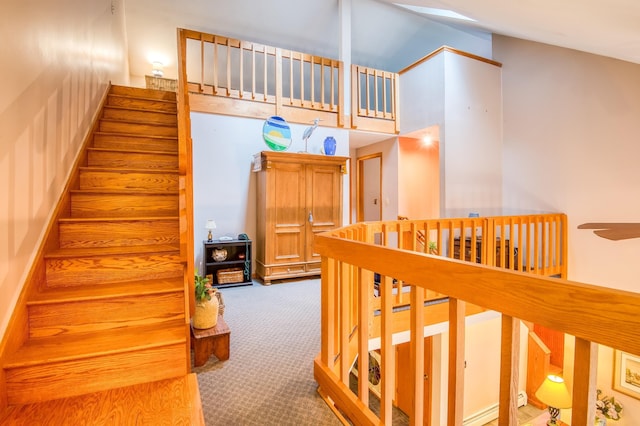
x=286, y=213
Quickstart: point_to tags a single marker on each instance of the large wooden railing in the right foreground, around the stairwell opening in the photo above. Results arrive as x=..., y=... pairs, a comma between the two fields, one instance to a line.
x=351, y=260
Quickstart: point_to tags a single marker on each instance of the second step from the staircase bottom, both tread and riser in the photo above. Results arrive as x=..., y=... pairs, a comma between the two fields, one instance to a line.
x=66, y=310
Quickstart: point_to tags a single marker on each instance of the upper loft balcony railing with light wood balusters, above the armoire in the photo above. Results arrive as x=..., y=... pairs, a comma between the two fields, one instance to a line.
x=235, y=77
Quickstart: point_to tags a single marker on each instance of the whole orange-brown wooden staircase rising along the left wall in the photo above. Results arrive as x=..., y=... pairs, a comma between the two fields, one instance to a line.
x=109, y=309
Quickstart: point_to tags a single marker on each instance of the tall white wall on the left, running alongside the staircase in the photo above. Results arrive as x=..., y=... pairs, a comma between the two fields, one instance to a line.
x=57, y=59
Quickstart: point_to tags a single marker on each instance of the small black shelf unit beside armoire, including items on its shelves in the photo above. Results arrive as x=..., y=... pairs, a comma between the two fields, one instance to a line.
x=227, y=263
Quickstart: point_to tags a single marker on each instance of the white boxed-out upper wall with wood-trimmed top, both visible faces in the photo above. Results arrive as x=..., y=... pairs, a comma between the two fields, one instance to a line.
x=462, y=96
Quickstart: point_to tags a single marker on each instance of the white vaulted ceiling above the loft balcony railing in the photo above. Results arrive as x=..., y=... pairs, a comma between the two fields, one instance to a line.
x=383, y=35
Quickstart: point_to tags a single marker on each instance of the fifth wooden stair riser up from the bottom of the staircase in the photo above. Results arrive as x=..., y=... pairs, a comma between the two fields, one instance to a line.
x=130, y=203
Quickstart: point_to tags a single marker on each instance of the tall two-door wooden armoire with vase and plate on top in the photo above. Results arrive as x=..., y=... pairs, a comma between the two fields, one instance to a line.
x=299, y=195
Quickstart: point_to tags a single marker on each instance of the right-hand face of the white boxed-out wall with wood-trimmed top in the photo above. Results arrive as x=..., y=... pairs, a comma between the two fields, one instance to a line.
x=472, y=143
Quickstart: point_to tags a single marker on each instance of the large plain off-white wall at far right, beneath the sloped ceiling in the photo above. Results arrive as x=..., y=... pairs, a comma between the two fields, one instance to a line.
x=571, y=145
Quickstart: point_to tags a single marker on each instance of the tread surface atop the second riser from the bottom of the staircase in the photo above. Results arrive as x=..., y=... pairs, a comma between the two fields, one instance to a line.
x=106, y=291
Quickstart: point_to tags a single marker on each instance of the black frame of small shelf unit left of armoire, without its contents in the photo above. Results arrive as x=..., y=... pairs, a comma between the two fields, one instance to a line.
x=236, y=250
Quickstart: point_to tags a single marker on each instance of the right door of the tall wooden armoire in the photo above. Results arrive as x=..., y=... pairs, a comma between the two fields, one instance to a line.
x=324, y=202
